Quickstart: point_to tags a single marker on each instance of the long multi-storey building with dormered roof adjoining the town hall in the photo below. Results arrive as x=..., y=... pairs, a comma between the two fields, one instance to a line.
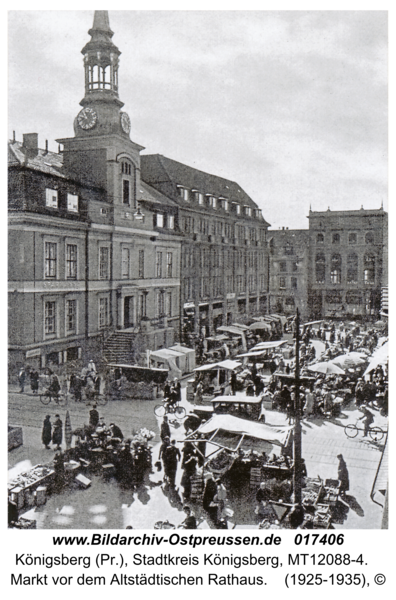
x=224, y=271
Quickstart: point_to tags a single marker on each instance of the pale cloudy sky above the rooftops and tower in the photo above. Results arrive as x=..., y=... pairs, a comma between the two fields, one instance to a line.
x=291, y=105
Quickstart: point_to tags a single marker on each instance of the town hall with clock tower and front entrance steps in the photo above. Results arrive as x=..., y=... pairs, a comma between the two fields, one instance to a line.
x=92, y=248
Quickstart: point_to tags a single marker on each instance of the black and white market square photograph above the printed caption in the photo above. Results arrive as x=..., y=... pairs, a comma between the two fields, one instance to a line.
x=198, y=270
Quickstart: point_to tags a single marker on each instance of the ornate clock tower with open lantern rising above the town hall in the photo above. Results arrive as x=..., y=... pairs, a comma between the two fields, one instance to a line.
x=102, y=153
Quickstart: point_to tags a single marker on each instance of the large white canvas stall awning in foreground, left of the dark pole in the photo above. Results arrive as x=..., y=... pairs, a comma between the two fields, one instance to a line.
x=237, y=426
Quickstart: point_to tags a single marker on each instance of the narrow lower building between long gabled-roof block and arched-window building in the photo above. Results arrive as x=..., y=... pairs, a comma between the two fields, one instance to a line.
x=289, y=261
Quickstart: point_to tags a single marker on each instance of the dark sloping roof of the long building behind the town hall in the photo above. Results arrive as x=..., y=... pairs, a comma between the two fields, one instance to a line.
x=156, y=169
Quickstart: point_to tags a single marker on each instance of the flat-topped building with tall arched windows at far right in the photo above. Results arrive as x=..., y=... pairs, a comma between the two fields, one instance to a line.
x=347, y=262
